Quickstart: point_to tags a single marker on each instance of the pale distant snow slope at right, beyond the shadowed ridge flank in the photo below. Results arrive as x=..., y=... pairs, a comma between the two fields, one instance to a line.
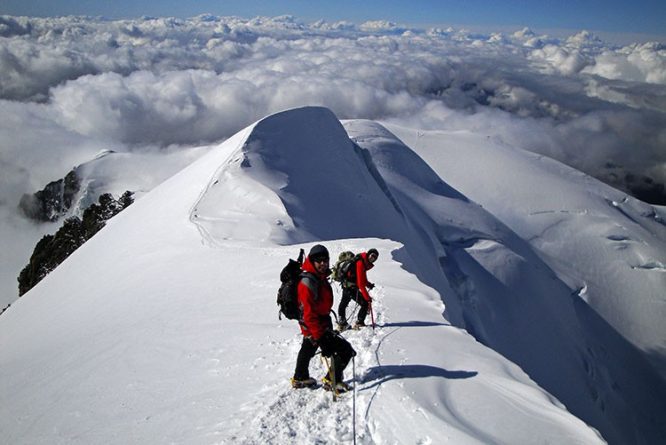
x=608, y=246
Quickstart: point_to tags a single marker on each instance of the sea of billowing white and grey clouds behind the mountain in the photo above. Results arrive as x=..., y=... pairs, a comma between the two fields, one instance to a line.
x=73, y=86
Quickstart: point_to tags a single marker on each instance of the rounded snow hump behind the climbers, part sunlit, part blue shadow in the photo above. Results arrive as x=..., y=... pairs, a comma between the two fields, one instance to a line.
x=305, y=180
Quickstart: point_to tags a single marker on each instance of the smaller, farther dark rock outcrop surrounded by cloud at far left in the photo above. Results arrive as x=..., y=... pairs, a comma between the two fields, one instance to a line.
x=53, y=201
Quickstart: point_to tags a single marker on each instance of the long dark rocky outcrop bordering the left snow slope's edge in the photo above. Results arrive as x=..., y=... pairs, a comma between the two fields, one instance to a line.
x=52, y=250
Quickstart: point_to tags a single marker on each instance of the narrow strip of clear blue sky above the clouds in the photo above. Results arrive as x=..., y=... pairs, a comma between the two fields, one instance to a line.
x=619, y=16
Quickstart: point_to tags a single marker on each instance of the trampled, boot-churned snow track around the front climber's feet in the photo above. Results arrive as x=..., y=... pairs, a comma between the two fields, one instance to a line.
x=287, y=415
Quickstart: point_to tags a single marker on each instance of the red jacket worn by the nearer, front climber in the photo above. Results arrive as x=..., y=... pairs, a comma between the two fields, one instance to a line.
x=315, y=306
